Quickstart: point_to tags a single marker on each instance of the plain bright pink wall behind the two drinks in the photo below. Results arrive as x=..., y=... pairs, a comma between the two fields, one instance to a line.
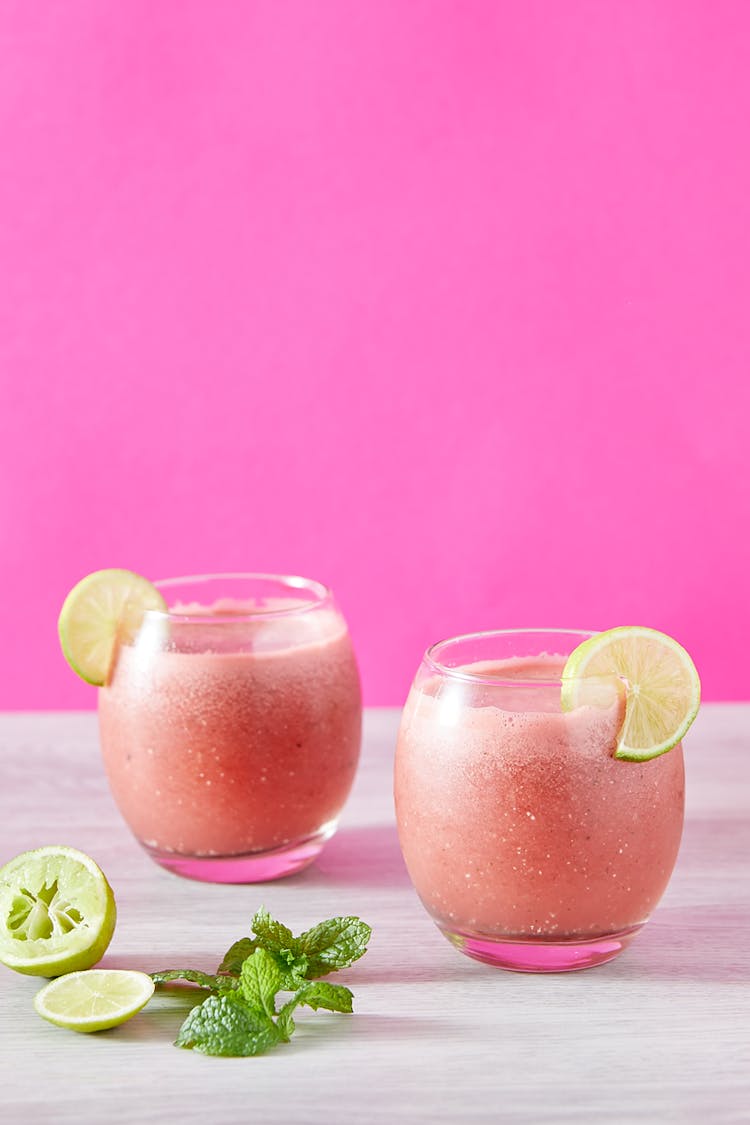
x=447, y=304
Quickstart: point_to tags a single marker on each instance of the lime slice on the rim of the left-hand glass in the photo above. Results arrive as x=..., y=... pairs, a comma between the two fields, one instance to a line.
x=103, y=609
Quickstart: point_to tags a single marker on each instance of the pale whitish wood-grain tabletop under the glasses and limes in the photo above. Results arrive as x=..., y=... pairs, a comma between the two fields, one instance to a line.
x=659, y=1036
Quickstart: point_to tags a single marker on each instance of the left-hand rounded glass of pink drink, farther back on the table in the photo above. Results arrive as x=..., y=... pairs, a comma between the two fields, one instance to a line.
x=231, y=726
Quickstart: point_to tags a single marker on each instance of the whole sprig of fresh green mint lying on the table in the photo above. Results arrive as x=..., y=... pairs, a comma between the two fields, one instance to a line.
x=241, y=1018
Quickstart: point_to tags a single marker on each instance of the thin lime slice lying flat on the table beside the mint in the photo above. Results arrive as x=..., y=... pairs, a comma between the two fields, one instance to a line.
x=95, y=1000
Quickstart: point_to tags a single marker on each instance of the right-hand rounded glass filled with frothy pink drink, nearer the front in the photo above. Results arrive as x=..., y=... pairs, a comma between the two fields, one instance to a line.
x=531, y=847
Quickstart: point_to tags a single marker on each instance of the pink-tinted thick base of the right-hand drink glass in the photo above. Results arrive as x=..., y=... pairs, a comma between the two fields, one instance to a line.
x=541, y=957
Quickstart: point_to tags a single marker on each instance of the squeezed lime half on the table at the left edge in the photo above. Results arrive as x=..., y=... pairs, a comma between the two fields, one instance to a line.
x=57, y=913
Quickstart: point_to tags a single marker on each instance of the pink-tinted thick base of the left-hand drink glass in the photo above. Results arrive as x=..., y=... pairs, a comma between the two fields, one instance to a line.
x=252, y=868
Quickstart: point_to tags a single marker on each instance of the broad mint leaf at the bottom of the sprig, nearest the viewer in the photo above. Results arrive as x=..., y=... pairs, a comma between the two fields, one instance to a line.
x=227, y=1025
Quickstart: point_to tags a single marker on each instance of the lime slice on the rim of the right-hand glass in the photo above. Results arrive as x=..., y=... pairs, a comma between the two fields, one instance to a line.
x=663, y=687
